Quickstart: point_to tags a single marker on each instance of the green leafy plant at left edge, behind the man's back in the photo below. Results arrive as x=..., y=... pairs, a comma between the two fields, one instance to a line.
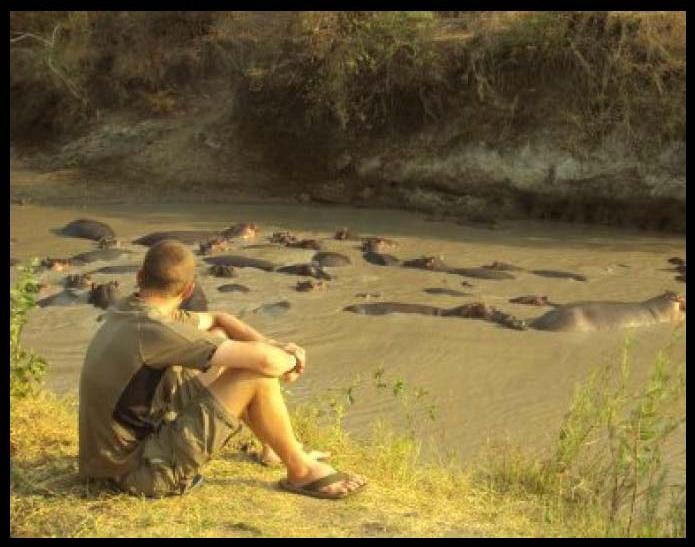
x=26, y=368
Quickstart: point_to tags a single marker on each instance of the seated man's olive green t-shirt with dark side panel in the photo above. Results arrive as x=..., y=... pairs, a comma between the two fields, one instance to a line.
x=122, y=370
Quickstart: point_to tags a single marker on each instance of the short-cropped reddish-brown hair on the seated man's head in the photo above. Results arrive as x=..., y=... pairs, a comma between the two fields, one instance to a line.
x=169, y=266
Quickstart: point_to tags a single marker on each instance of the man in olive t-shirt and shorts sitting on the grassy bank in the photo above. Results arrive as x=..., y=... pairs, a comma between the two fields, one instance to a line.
x=163, y=389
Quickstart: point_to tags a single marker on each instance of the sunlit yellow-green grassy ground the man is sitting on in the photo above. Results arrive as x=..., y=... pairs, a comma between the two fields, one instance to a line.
x=239, y=497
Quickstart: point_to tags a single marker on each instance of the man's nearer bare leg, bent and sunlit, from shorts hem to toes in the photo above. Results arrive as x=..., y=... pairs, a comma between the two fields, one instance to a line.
x=260, y=396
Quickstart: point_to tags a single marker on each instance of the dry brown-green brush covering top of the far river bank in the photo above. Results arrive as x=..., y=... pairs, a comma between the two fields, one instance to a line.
x=305, y=76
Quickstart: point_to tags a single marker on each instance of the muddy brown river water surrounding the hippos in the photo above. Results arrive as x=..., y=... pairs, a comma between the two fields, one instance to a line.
x=485, y=381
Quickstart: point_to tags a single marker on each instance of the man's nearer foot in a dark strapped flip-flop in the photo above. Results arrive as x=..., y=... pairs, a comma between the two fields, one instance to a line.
x=322, y=481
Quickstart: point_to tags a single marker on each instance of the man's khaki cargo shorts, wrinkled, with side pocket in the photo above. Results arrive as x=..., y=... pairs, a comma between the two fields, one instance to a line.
x=194, y=427
